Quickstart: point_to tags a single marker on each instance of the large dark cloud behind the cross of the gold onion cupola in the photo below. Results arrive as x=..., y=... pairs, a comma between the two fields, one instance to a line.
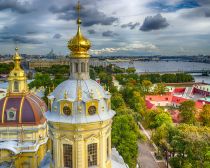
x=90, y=15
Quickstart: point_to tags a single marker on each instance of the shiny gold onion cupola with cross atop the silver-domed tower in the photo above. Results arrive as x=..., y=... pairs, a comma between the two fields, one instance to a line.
x=79, y=45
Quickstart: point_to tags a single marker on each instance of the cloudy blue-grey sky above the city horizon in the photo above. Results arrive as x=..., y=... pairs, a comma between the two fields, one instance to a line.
x=115, y=27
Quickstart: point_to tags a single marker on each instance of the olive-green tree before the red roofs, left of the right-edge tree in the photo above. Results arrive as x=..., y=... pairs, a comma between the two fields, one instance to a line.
x=187, y=111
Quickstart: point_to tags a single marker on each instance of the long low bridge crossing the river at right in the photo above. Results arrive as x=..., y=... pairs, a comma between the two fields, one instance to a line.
x=203, y=72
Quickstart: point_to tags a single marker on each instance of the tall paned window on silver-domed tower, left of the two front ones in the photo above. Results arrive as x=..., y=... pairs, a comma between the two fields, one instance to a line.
x=67, y=156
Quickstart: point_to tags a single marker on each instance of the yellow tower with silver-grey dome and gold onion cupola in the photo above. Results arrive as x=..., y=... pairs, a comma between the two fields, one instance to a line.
x=80, y=116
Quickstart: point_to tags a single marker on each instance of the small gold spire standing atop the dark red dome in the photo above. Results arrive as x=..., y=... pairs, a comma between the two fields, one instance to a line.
x=17, y=78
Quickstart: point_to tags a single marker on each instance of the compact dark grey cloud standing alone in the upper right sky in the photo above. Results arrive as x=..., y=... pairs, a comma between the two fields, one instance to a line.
x=154, y=23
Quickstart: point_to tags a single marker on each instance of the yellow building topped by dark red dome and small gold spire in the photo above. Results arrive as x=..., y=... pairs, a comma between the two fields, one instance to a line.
x=23, y=127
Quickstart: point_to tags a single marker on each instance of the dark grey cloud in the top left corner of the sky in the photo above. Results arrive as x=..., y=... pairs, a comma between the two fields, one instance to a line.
x=15, y=6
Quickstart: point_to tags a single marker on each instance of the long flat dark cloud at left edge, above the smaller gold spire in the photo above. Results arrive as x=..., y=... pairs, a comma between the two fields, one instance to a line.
x=19, y=39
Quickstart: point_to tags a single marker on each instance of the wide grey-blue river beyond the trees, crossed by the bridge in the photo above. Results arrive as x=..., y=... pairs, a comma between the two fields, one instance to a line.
x=168, y=66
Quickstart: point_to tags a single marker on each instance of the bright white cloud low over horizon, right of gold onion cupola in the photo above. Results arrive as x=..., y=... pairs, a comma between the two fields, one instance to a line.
x=138, y=46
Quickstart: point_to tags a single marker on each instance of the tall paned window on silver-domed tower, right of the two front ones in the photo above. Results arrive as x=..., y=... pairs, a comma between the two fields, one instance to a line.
x=92, y=154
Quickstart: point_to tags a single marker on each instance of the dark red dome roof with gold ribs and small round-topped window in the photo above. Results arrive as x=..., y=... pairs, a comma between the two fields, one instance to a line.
x=22, y=110
